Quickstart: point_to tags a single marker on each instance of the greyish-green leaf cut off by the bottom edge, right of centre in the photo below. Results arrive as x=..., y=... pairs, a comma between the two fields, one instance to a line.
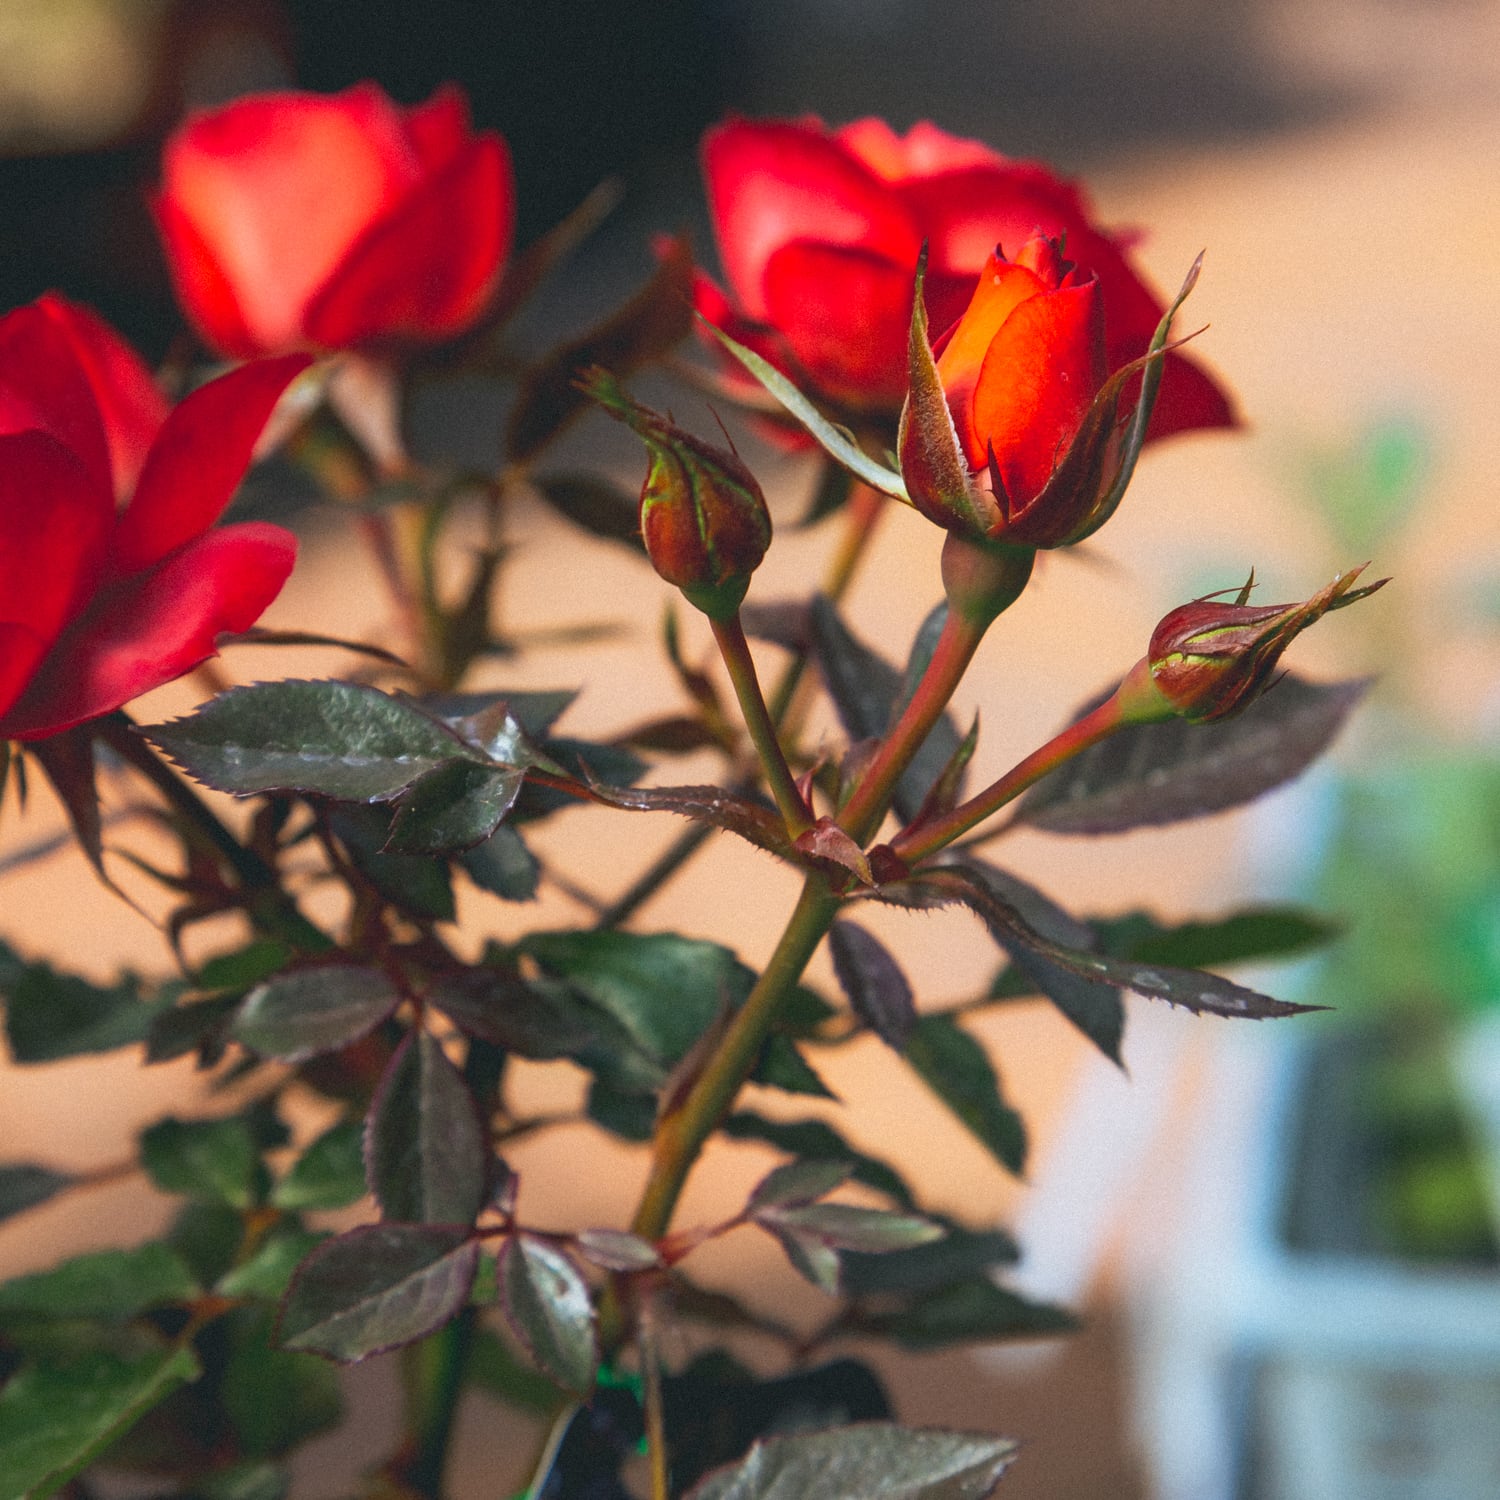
x=871, y=1462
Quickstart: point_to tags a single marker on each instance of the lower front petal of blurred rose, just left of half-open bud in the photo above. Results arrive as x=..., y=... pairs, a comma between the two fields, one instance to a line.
x=845, y=314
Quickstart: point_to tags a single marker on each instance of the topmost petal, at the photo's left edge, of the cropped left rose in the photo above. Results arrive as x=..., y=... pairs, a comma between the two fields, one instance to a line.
x=44, y=388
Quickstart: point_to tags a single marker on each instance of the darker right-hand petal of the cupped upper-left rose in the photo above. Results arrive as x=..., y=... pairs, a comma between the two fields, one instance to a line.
x=430, y=268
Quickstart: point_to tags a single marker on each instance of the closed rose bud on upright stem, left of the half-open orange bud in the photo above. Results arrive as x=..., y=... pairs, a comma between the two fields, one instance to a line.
x=703, y=517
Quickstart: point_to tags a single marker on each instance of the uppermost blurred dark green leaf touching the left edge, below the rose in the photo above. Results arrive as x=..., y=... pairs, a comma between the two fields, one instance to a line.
x=52, y=1015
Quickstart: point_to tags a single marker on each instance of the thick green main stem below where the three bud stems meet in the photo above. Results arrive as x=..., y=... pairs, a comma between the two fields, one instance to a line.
x=682, y=1135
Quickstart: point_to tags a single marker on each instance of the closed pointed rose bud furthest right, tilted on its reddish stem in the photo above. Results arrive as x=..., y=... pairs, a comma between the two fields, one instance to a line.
x=1211, y=659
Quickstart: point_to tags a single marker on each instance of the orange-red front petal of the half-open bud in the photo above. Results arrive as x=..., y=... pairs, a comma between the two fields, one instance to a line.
x=1043, y=370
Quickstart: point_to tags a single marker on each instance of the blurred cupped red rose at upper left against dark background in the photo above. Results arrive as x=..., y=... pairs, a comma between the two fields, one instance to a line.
x=304, y=221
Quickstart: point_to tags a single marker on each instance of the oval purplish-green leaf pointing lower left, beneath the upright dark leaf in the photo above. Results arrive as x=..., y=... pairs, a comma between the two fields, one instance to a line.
x=379, y=1288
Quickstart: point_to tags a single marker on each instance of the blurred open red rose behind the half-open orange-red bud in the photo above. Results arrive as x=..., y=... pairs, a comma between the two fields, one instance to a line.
x=820, y=233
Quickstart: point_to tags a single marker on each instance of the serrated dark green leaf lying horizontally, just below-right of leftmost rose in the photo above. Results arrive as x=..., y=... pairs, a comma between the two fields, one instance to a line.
x=328, y=739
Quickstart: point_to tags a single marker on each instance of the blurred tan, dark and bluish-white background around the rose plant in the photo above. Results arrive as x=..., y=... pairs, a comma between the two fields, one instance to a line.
x=1280, y=1306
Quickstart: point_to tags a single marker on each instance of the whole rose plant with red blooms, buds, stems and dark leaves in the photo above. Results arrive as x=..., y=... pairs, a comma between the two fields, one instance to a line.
x=304, y=227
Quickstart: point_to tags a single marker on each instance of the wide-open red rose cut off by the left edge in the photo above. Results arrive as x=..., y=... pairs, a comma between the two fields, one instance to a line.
x=100, y=604
